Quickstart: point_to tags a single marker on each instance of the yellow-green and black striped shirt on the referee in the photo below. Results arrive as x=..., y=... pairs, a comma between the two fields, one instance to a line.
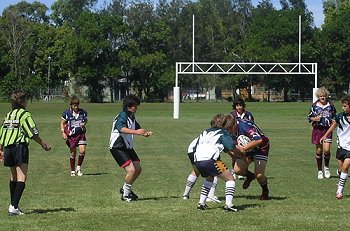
x=18, y=127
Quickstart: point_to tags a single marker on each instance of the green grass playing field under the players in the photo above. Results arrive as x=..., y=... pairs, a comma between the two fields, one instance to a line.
x=55, y=201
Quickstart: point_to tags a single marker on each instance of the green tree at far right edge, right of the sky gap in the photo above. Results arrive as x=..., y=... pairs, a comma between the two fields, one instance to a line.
x=334, y=47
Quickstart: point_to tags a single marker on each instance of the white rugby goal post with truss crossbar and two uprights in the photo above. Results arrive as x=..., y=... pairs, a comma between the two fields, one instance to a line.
x=235, y=68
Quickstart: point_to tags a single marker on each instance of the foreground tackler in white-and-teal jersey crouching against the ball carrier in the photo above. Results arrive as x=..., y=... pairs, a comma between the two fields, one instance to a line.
x=206, y=158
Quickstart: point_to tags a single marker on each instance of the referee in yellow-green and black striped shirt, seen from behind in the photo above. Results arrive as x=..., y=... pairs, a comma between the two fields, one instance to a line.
x=17, y=129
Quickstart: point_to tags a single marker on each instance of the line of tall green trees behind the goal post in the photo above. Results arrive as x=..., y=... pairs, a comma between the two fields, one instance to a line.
x=135, y=45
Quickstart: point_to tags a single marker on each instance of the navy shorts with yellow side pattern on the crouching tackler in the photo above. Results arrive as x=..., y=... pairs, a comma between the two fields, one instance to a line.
x=210, y=167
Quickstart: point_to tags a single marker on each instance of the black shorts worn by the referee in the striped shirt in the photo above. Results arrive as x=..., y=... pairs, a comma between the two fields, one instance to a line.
x=16, y=154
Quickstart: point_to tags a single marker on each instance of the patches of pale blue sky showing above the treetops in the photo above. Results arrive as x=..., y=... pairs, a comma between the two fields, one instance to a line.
x=315, y=6
